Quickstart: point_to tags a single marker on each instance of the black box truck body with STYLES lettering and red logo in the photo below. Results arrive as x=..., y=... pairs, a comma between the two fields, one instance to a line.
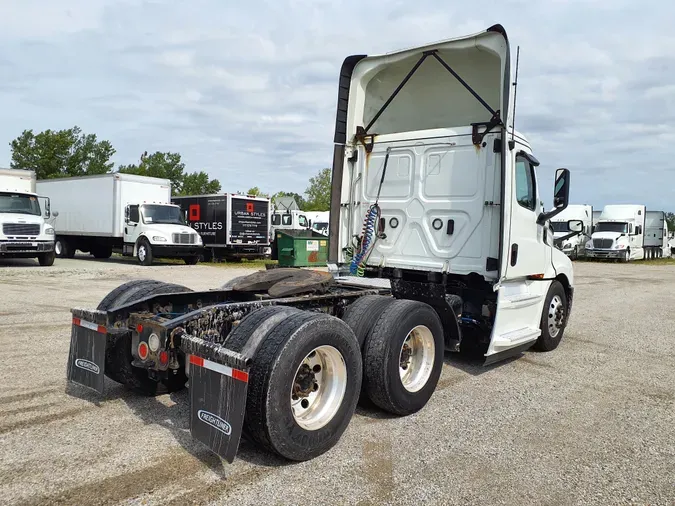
x=231, y=226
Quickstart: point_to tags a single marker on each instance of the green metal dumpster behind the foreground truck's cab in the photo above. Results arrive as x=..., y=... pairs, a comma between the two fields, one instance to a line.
x=301, y=248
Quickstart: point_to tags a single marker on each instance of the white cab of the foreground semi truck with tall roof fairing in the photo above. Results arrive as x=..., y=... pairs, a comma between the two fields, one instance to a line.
x=434, y=189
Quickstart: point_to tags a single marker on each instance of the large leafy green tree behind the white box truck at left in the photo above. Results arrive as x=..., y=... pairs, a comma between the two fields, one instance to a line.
x=61, y=153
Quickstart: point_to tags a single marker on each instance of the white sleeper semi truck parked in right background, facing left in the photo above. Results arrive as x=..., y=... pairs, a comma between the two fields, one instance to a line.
x=619, y=233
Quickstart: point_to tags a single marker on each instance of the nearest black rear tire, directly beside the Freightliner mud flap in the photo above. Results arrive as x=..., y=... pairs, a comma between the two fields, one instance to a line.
x=269, y=418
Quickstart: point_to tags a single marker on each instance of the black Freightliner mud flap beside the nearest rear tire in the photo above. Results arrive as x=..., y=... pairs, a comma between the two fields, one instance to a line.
x=217, y=405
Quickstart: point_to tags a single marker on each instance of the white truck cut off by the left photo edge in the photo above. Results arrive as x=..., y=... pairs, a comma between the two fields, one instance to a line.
x=24, y=232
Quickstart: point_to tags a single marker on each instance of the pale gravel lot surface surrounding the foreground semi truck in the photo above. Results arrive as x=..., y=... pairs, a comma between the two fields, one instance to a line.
x=590, y=423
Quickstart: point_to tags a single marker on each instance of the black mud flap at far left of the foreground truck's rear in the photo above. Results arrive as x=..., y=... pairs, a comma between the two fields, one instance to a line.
x=86, y=360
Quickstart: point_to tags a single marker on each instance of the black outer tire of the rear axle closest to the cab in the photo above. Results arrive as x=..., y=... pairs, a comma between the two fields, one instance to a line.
x=382, y=351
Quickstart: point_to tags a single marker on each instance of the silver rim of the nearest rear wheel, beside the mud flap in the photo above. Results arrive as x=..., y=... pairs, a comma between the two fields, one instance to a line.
x=319, y=387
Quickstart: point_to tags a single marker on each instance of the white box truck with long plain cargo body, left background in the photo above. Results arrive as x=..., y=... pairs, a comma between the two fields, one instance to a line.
x=122, y=213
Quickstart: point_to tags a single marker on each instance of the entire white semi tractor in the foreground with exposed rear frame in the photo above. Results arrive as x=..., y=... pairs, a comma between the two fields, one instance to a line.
x=437, y=243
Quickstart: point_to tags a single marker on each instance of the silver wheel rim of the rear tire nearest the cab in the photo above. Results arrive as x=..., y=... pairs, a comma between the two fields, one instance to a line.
x=416, y=358
